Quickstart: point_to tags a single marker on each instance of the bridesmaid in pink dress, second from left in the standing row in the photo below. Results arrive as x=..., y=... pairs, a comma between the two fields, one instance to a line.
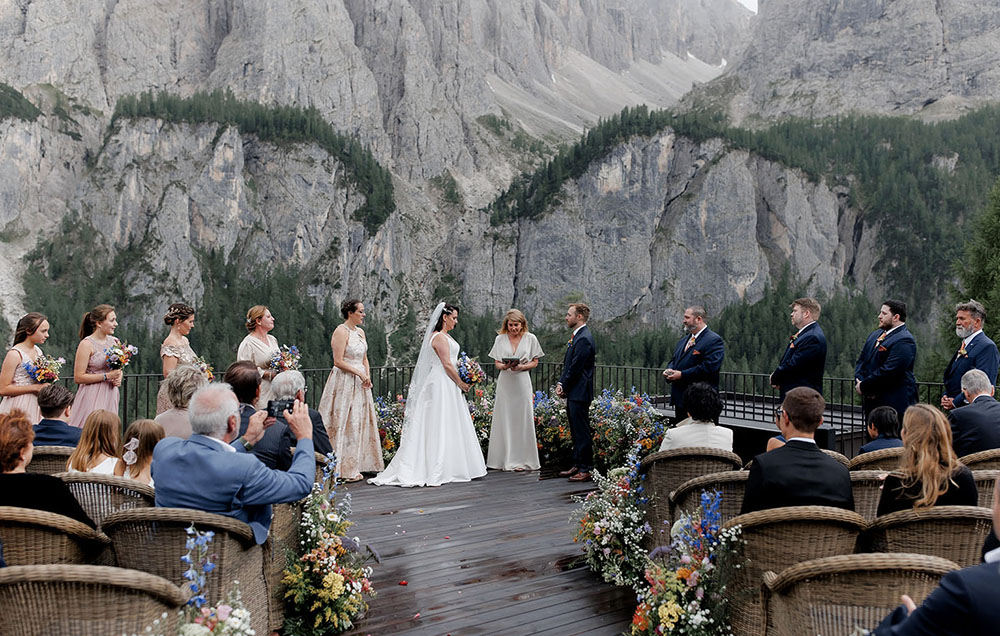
x=97, y=382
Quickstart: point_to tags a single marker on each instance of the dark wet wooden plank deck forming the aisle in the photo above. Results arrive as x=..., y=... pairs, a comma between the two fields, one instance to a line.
x=494, y=556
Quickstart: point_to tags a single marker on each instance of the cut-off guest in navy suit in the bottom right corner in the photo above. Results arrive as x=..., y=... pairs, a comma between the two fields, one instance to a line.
x=966, y=603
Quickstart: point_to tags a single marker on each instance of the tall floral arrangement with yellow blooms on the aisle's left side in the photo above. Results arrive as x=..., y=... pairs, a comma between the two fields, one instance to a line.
x=328, y=581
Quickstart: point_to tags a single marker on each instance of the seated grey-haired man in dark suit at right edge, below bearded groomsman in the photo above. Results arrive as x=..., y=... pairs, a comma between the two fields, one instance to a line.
x=976, y=426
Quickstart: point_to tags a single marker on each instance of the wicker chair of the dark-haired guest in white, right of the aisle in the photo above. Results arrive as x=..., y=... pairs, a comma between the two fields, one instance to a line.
x=664, y=471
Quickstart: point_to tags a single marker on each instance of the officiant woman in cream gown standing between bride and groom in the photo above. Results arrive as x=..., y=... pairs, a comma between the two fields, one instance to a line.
x=512, y=438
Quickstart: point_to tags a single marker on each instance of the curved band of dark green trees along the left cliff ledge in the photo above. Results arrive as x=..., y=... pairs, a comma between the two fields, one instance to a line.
x=275, y=124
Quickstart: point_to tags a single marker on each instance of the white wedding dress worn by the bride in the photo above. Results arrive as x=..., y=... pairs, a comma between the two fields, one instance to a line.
x=439, y=443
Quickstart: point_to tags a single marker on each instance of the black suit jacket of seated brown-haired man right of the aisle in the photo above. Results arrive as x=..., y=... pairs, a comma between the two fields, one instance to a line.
x=797, y=474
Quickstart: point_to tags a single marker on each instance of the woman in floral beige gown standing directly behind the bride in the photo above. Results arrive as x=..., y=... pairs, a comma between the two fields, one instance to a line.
x=347, y=406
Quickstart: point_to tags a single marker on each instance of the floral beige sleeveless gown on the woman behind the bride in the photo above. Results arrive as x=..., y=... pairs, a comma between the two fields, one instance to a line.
x=348, y=412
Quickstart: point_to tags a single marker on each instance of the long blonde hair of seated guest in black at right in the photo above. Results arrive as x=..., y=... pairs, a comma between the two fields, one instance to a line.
x=928, y=458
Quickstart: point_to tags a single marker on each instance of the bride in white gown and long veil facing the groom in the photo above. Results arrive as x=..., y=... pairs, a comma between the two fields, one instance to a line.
x=438, y=443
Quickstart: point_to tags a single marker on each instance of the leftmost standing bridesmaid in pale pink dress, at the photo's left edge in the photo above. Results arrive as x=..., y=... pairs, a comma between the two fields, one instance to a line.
x=18, y=388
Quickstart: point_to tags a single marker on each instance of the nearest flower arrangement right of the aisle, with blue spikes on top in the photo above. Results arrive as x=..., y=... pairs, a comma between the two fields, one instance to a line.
x=687, y=580
